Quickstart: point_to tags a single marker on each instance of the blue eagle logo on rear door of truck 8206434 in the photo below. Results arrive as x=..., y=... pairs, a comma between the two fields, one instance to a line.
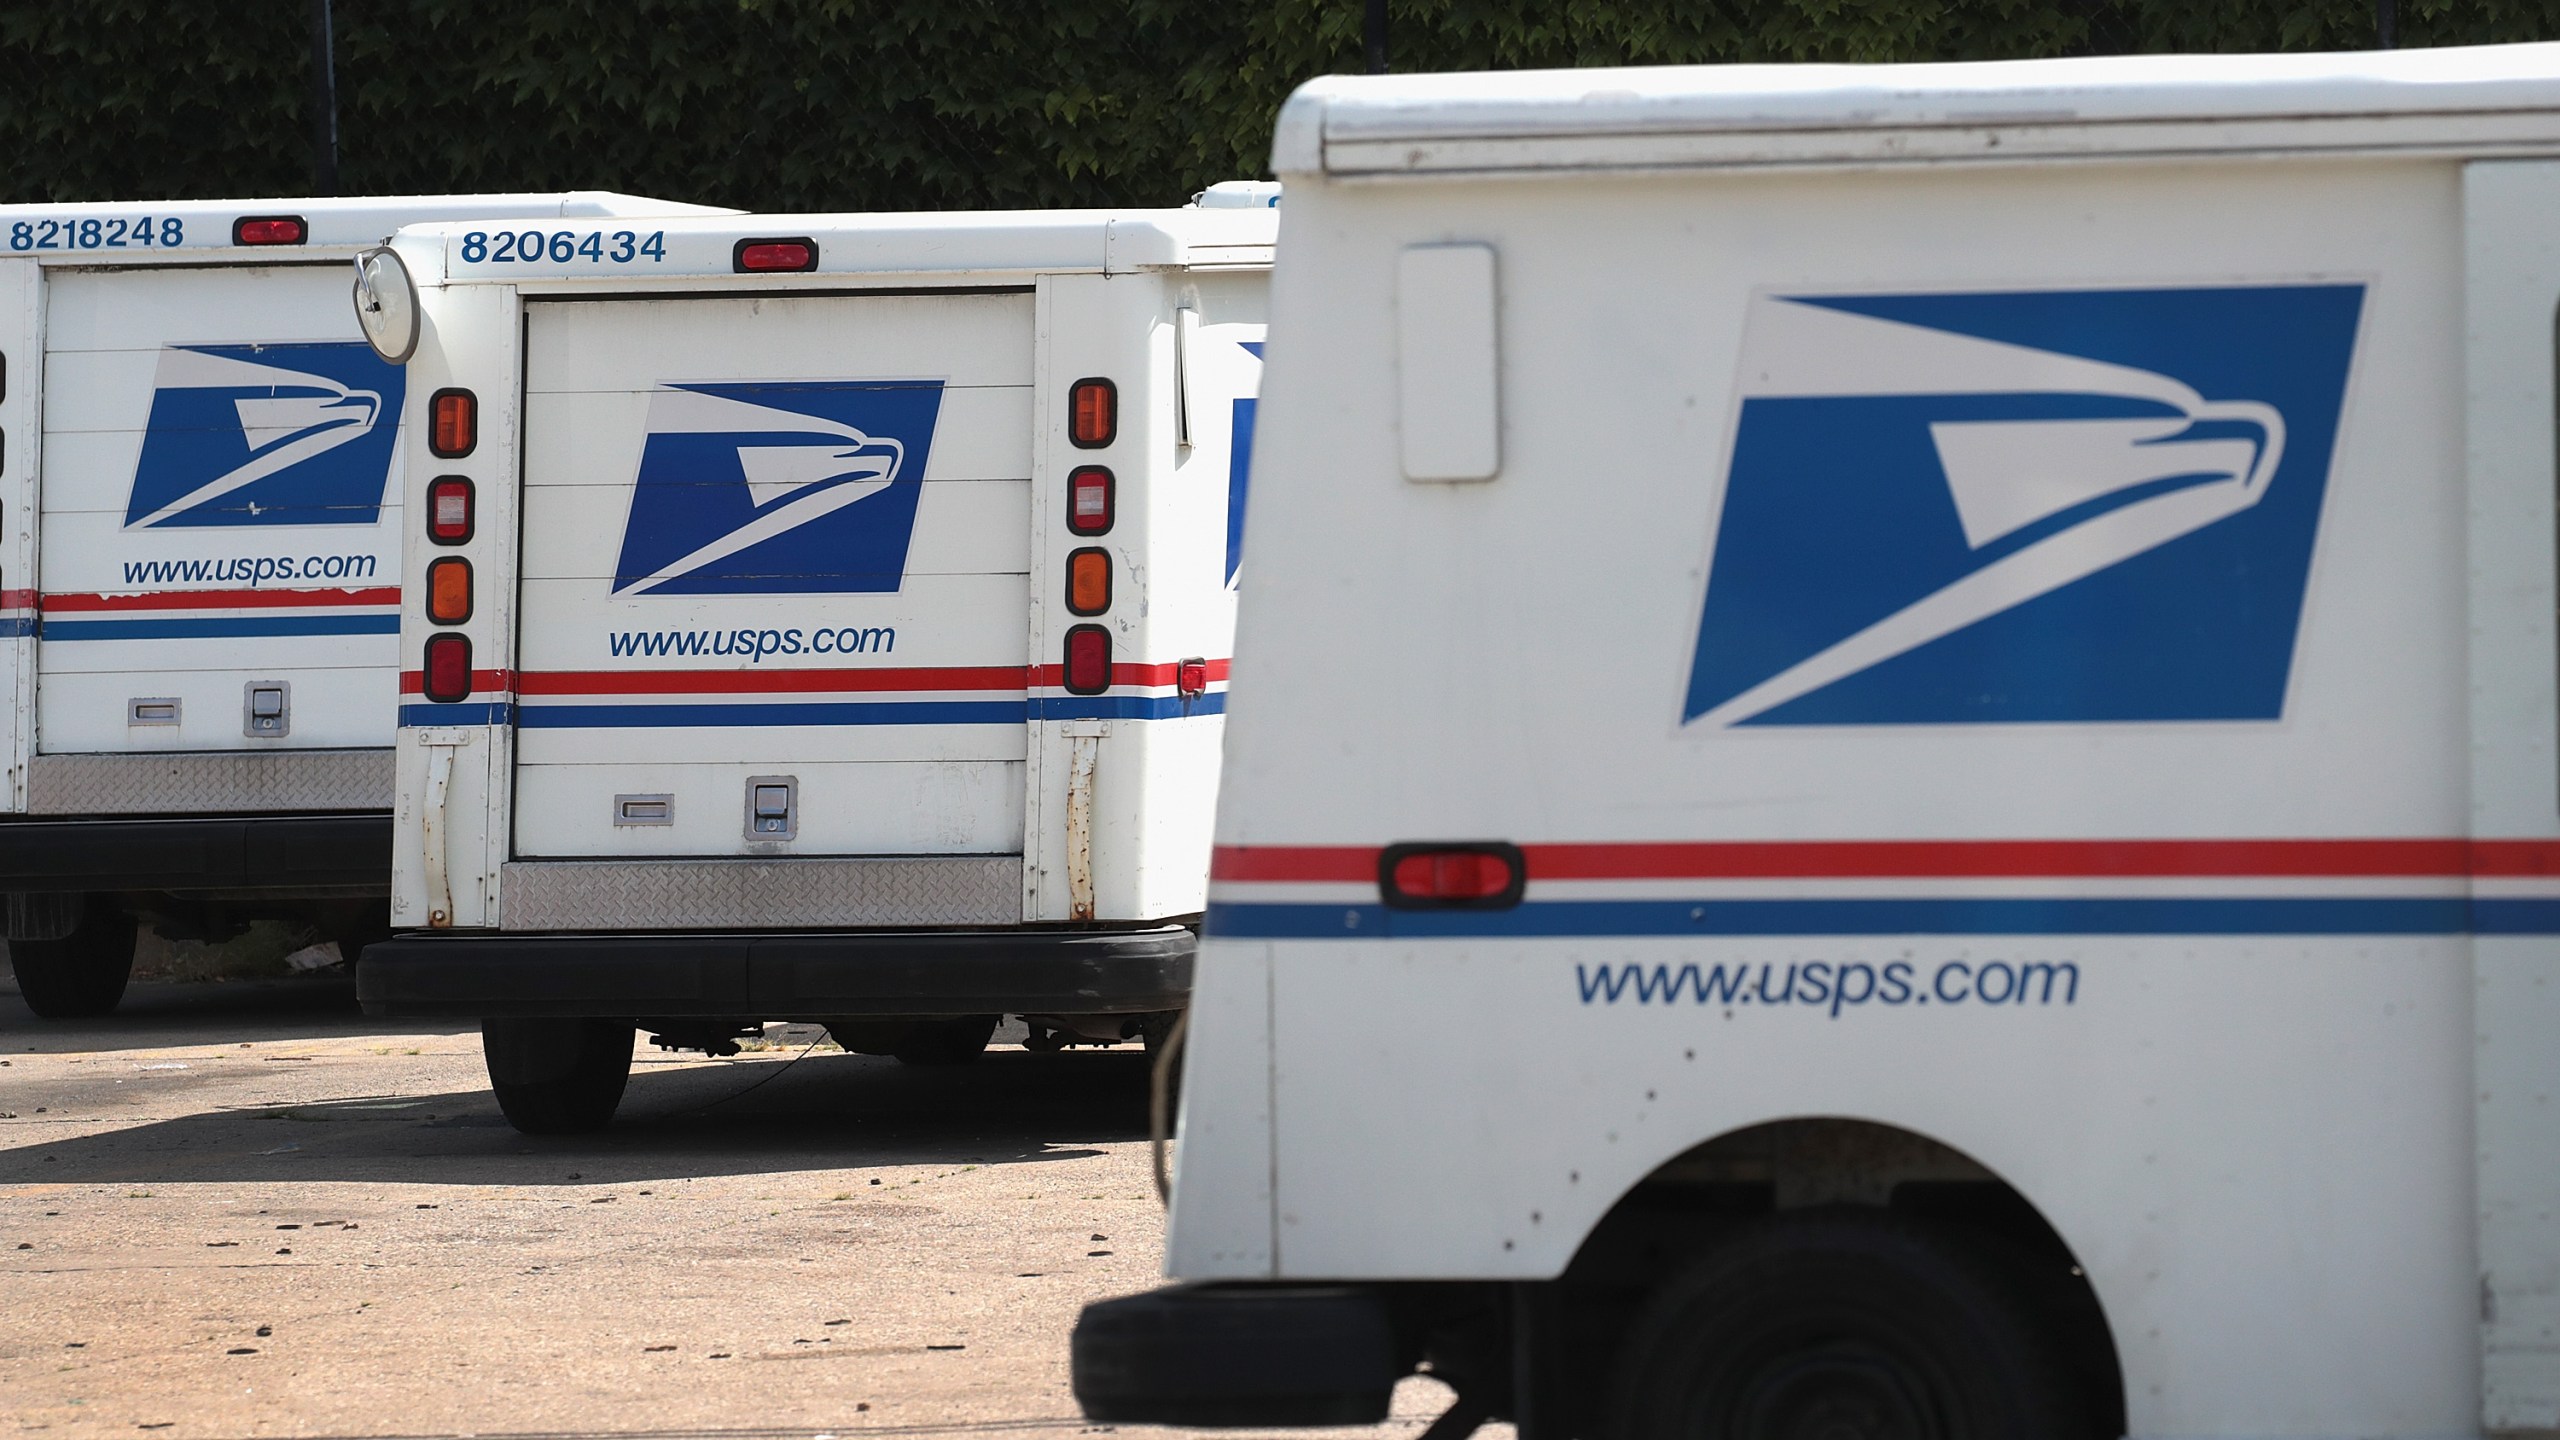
x=780, y=488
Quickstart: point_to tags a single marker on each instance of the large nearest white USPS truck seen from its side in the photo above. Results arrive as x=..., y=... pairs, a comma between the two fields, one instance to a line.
x=1893, y=765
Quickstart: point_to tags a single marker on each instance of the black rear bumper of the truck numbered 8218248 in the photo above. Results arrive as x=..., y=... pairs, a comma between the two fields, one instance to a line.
x=239, y=855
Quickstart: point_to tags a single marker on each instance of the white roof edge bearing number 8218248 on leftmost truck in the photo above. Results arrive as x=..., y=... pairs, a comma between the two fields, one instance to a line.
x=334, y=227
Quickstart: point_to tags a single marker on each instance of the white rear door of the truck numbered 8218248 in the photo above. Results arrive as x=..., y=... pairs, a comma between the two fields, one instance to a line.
x=219, y=514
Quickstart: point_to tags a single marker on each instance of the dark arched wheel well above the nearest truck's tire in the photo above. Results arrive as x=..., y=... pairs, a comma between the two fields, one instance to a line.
x=1701, y=1195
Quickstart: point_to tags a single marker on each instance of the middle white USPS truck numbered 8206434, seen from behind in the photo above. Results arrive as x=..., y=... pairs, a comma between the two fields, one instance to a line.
x=813, y=619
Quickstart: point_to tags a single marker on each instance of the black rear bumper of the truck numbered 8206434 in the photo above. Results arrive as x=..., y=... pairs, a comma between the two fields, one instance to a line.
x=780, y=978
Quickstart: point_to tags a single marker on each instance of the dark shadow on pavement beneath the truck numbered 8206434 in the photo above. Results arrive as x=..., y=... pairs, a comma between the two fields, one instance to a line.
x=751, y=1116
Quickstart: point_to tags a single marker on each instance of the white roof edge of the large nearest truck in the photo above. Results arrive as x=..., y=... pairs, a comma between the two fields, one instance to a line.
x=2446, y=101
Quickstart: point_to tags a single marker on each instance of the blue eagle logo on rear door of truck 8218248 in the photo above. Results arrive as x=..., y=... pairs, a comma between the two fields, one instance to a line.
x=296, y=434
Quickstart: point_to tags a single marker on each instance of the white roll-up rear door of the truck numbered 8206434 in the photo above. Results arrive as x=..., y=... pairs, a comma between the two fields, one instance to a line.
x=774, y=575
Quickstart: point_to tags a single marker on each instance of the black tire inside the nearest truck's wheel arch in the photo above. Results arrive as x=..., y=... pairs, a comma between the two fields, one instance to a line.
x=1842, y=1326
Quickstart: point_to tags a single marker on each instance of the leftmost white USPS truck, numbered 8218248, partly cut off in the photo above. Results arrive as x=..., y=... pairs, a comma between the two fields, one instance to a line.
x=198, y=573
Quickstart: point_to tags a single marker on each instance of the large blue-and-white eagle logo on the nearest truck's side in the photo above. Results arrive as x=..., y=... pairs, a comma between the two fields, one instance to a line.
x=2049, y=506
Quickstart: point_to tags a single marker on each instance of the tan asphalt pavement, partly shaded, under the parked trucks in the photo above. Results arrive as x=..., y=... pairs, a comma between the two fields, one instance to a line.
x=250, y=1211
